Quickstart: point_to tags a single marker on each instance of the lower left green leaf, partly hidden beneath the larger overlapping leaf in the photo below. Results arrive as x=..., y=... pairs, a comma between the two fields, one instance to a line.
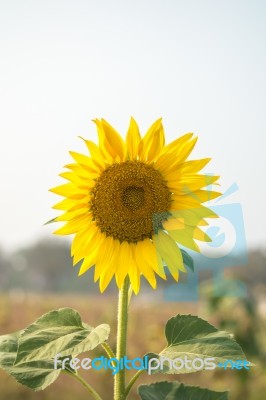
x=34, y=375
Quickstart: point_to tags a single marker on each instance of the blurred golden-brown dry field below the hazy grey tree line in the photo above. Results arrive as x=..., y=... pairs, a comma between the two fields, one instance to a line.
x=146, y=327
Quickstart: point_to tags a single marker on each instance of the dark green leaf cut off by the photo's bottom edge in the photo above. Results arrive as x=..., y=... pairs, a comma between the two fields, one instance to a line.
x=178, y=391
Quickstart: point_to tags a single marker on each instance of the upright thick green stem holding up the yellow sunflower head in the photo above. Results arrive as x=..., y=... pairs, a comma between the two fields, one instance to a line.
x=121, y=342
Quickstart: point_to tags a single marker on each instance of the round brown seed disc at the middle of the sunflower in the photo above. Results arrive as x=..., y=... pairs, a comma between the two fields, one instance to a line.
x=130, y=200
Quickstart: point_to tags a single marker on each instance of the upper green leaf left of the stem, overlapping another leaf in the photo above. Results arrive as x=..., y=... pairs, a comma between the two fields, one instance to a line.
x=58, y=332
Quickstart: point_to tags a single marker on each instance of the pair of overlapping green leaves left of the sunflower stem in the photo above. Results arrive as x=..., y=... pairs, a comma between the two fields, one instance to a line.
x=28, y=355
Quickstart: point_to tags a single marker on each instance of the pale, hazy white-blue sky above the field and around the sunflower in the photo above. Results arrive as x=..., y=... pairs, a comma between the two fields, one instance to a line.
x=198, y=64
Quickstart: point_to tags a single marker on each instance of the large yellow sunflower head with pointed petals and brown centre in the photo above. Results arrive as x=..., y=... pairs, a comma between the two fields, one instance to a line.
x=131, y=203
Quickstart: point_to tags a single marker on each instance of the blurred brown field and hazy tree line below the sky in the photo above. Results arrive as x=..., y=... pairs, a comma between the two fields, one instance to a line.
x=39, y=278
